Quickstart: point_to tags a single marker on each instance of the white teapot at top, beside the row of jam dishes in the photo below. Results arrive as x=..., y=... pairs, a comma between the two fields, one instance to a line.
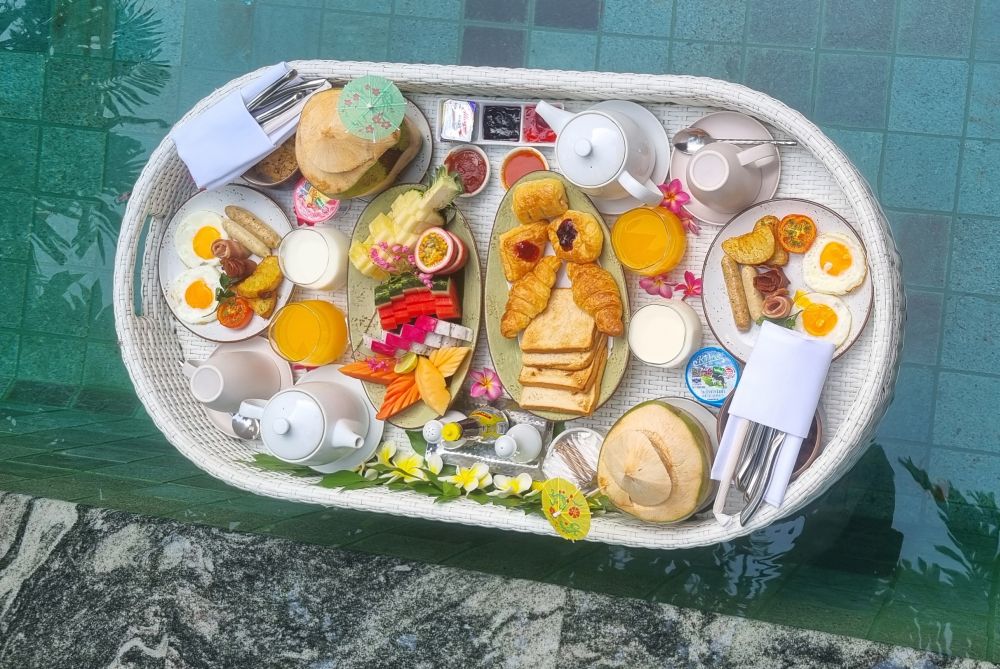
x=603, y=152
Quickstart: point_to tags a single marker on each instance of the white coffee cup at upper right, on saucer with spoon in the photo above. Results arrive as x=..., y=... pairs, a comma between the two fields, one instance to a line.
x=725, y=177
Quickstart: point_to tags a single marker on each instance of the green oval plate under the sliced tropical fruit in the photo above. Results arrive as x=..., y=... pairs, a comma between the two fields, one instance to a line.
x=362, y=319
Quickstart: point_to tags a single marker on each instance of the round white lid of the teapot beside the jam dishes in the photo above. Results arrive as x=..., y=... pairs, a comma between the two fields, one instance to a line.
x=590, y=149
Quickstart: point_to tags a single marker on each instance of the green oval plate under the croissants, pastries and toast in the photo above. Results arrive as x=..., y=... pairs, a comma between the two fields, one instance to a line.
x=506, y=353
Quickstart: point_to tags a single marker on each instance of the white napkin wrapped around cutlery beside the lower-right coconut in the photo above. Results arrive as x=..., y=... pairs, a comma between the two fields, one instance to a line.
x=779, y=389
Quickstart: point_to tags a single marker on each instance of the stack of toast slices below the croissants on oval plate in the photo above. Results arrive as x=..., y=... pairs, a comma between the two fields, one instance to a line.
x=563, y=358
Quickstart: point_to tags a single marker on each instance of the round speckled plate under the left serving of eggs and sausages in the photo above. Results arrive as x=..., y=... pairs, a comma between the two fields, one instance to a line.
x=170, y=265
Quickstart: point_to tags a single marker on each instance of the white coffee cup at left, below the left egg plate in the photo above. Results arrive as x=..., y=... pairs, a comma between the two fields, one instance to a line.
x=227, y=378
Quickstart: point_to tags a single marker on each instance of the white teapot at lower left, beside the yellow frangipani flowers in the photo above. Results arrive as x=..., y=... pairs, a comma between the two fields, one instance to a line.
x=312, y=423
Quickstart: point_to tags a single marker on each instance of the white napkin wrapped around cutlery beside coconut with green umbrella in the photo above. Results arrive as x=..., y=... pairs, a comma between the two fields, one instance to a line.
x=226, y=140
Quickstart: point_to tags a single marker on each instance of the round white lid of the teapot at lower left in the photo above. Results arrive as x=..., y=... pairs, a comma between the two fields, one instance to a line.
x=293, y=425
